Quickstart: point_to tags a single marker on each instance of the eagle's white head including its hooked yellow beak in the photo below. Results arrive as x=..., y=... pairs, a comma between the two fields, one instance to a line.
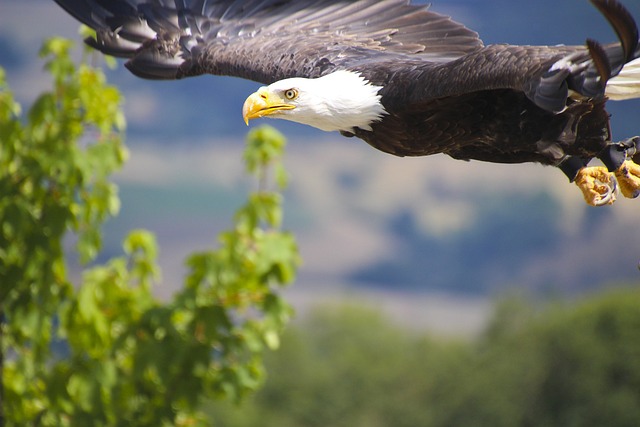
x=342, y=101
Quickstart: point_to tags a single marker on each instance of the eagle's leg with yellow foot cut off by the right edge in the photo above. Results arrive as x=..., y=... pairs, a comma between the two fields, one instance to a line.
x=618, y=157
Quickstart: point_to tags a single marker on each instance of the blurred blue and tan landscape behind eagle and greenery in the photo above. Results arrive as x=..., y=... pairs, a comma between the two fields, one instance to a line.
x=431, y=242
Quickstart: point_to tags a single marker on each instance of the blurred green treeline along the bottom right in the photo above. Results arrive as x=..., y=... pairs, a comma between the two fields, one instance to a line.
x=562, y=364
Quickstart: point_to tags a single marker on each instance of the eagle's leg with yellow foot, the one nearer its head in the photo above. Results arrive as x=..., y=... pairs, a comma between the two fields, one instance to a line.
x=597, y=184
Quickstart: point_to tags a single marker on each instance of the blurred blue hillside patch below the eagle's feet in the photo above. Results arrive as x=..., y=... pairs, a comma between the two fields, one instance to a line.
x=515, y=239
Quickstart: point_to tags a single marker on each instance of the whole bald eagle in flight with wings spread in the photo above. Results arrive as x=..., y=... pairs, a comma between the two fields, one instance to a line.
x=406, y=80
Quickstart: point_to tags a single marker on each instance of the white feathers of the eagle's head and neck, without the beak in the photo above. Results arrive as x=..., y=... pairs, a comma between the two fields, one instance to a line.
x=340, y=101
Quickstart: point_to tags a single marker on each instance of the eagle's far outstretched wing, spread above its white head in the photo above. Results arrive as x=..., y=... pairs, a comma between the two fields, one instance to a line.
x=266, y=40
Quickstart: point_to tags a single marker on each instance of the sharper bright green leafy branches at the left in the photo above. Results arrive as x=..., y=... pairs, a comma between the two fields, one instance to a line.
x=105, y=351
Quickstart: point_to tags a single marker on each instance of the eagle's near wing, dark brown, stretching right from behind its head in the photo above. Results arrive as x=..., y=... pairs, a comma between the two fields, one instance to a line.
x=546, y=74
